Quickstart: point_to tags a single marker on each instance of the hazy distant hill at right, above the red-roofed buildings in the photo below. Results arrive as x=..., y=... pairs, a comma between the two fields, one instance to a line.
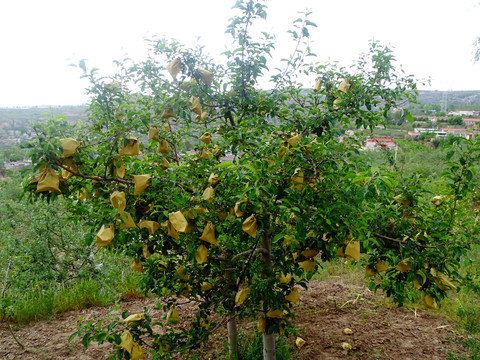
x=463, y=100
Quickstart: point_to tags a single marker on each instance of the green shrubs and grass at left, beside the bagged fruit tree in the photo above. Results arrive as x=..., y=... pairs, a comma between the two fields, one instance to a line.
x=50, y=268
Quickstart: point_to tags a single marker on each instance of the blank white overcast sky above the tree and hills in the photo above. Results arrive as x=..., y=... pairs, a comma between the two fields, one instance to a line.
x=39, y=38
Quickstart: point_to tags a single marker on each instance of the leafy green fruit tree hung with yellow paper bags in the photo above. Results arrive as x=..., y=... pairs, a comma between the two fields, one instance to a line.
x=236, y=225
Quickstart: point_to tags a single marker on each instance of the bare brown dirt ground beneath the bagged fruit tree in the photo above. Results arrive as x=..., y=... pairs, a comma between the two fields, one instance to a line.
x=379, y=330
